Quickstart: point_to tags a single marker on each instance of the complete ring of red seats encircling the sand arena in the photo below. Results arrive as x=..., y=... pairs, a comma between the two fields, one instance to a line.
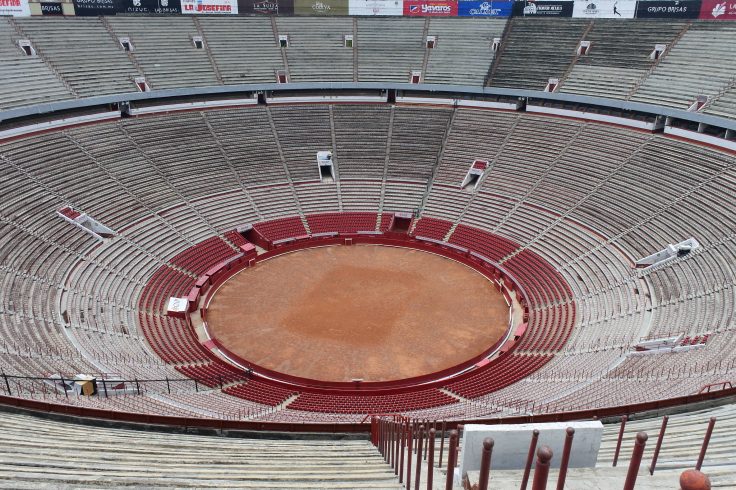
x=551, y=316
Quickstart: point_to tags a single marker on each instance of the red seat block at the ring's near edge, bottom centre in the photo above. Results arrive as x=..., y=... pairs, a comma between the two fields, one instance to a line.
x=399, y=402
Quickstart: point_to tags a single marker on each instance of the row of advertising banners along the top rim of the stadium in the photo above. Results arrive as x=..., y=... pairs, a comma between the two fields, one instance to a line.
x=601, y=9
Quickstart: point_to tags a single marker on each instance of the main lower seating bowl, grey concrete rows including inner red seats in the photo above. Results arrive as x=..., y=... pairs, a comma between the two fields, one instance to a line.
x=543, y=210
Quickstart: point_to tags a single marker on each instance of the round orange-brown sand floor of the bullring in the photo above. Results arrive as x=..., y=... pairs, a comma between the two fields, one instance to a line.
x=364, y=311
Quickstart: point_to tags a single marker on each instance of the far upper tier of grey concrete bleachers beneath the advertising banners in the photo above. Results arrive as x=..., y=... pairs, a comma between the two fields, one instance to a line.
x=82, y=56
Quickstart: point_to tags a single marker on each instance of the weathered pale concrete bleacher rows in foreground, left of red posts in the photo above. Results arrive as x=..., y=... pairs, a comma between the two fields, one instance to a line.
x=39, y=453
